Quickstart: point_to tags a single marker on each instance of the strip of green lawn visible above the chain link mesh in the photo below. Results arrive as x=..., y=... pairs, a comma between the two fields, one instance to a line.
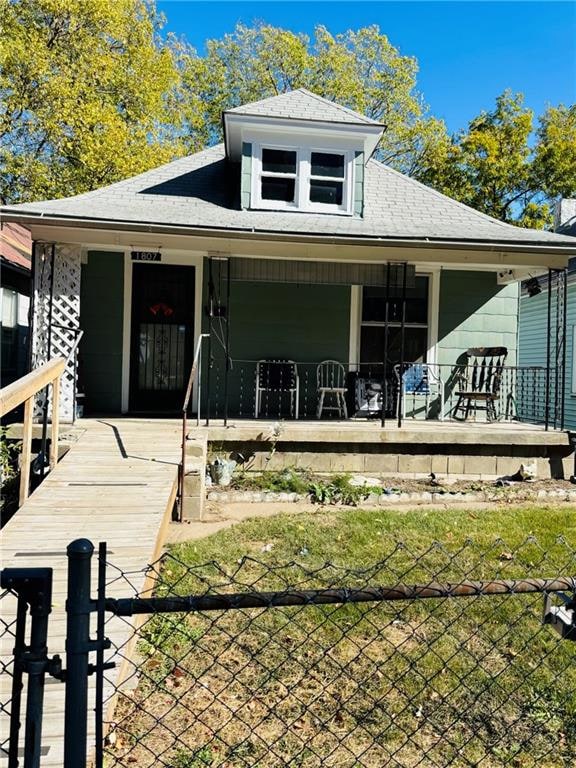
x=357, y=537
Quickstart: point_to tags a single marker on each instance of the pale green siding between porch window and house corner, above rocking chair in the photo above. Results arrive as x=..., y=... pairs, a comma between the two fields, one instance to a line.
x=476, y=312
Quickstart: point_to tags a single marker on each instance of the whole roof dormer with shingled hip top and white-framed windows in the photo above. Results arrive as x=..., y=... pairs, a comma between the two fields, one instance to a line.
x=301, y=153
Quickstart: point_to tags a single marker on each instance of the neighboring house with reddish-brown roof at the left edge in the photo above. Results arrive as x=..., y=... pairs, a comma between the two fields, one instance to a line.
x=15, y=263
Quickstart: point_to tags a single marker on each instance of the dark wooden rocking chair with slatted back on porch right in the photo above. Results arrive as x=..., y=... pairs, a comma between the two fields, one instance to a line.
x=479, y=382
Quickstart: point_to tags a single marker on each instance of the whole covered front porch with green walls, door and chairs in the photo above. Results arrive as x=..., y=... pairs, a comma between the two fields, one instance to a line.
x=286, y=331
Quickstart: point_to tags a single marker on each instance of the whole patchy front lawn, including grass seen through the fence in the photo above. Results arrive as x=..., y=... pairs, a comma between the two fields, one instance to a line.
x=442, y=682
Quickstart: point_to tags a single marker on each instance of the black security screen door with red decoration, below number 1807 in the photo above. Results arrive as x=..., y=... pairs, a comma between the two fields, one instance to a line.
x=162, y=336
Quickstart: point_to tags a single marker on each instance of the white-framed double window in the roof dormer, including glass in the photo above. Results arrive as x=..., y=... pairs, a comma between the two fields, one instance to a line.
x=302, y=179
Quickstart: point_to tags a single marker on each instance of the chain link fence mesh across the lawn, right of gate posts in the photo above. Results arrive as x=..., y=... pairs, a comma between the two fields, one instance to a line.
x=257, y=663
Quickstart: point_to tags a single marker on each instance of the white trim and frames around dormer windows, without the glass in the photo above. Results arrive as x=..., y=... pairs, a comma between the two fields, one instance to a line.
x=302, y=176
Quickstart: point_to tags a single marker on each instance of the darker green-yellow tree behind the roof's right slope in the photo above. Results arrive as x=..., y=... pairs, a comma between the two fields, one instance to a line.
x=500, y=168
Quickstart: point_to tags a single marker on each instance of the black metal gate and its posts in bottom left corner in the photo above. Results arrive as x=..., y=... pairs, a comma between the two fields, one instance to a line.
x=31, y=589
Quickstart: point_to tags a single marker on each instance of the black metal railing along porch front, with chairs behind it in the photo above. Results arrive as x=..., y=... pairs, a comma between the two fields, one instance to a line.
x=476, y=390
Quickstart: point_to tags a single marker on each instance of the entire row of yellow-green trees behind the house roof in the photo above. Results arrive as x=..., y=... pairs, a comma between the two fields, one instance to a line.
x=92, y=93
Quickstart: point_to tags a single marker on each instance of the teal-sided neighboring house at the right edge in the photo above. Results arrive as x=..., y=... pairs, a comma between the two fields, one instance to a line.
x=534, y=338
